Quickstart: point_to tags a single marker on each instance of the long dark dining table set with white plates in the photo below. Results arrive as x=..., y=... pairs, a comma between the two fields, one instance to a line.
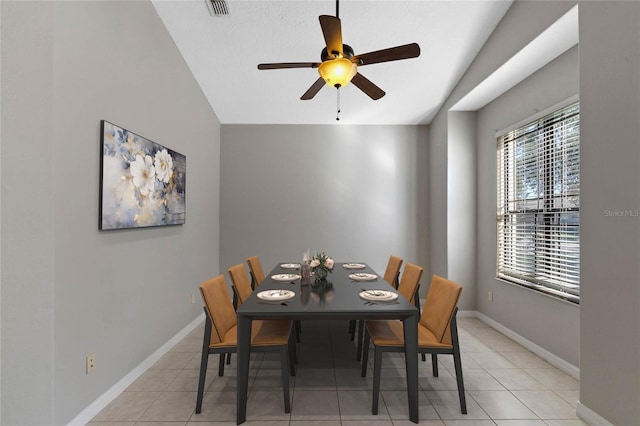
x=344, y=294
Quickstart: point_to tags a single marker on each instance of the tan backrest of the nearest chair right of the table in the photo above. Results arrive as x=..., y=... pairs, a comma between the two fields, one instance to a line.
x=440, y=306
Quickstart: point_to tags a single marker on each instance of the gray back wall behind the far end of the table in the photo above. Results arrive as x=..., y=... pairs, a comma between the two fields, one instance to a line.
x=356, y=192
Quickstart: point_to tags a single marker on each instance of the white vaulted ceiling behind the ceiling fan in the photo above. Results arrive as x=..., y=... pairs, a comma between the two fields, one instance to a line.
x=223, y=54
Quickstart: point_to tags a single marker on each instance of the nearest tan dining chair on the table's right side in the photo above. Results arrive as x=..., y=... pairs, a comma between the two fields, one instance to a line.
x=437, y=334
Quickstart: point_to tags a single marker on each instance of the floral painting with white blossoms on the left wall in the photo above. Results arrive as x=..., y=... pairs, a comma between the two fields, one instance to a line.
x=142, y=182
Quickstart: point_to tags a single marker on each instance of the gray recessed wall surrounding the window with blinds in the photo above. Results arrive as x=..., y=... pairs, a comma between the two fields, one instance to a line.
x=528, y=313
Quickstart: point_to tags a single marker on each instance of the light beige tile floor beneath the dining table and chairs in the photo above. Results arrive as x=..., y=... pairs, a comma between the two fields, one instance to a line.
x=506, y=385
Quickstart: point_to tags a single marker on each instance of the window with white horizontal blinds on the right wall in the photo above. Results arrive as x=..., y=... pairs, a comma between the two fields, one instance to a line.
x=539, y=204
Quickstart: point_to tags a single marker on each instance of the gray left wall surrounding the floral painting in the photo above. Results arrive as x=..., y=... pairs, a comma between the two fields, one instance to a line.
x=67, y=288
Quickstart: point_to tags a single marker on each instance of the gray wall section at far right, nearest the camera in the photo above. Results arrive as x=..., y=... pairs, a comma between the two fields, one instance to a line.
x=610, y=181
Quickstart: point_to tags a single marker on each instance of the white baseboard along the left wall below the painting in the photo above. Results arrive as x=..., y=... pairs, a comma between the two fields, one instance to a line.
x=106, y=398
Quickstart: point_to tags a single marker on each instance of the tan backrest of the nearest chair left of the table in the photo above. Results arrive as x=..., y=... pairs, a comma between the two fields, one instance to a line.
x=217, y=300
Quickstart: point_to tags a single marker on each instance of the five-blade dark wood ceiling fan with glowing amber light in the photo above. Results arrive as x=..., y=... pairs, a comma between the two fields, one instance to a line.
x=339, y=64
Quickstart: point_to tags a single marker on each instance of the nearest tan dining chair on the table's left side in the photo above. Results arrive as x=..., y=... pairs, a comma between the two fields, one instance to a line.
x=221, y=336
